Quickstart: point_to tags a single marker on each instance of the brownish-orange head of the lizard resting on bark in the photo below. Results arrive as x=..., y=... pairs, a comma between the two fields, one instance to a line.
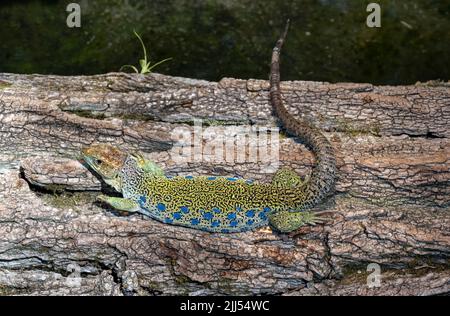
x=107, y=161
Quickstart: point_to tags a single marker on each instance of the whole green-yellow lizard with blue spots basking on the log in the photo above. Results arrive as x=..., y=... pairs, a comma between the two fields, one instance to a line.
x=220, y=204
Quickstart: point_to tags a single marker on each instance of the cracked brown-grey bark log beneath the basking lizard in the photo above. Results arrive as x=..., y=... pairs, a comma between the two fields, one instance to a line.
x=391, y=206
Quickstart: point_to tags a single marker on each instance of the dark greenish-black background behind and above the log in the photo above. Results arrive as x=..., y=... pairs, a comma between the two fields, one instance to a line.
x=211, y=39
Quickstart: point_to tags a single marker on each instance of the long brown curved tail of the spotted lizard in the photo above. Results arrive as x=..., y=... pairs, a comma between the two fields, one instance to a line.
x=323, y=177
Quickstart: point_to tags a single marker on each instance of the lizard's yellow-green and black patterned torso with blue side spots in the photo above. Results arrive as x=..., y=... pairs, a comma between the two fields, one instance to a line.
x=215, y=204
